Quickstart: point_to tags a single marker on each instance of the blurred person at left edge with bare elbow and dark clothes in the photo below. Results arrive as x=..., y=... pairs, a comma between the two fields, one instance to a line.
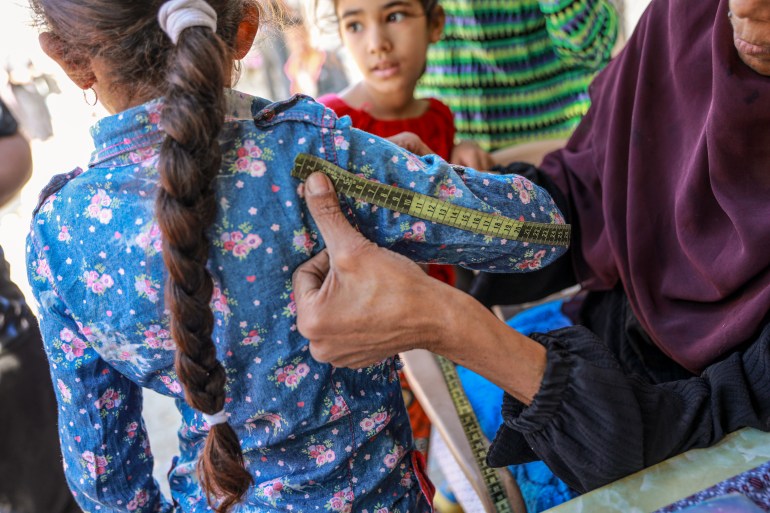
x=31, y=476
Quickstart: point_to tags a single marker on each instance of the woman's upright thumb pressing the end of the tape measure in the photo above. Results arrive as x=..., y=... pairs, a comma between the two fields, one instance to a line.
x=324, y=206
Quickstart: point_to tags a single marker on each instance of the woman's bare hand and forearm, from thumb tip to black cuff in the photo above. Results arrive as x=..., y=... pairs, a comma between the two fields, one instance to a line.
x=358, y=304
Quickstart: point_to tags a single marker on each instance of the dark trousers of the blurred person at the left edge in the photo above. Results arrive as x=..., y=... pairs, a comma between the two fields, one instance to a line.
x=31, y=475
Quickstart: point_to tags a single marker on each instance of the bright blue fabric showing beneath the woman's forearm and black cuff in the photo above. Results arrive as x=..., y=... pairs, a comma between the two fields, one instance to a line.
x=540, y=489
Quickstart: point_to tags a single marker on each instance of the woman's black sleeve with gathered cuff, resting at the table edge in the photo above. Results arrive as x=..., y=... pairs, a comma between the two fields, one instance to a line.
x=592, y=423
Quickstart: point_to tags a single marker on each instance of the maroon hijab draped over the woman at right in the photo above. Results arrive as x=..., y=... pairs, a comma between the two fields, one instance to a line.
x=669, y=175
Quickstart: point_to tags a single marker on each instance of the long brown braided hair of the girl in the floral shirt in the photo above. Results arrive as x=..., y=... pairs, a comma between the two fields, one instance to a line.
x=191, y=76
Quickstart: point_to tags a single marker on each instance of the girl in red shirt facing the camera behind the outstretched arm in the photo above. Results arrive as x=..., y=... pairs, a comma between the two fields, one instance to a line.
x=389, y=43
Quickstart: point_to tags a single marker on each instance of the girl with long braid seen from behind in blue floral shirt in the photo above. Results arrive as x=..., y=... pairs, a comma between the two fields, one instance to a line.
x=167, y=265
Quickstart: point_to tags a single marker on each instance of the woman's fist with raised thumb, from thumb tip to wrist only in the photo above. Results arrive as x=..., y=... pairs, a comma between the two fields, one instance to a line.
x=358, y=303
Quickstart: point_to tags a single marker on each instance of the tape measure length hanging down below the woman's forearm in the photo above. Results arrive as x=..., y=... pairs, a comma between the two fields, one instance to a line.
x=472, y=431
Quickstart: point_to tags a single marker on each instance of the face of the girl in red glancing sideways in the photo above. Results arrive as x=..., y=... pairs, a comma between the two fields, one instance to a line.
x=388, y=39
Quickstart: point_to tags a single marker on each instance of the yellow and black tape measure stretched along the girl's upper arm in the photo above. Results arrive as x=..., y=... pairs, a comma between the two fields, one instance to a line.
x=430, y=208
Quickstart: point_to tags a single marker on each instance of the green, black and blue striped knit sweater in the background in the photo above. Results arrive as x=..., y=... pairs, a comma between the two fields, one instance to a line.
x=518, y=70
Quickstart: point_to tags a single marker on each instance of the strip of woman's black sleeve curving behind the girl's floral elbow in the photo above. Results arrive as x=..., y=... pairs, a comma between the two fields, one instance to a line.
x=509, y=289
